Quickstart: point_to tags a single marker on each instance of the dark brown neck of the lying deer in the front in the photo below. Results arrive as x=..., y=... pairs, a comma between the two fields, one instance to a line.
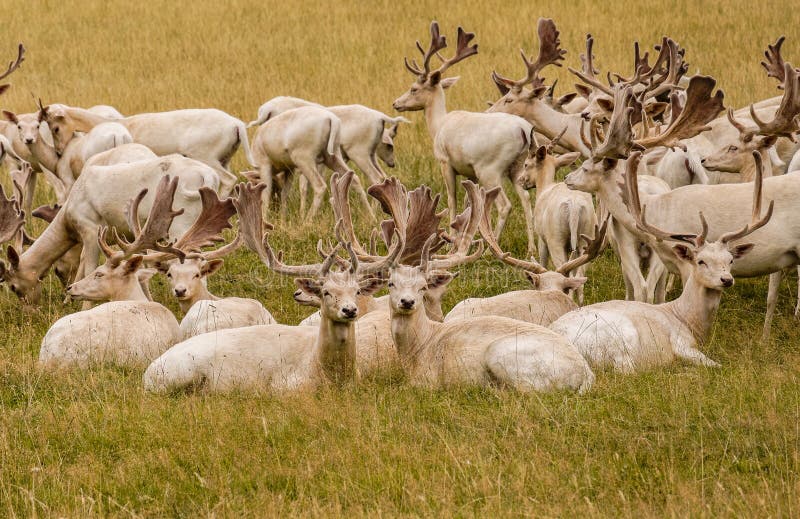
x=336, y=349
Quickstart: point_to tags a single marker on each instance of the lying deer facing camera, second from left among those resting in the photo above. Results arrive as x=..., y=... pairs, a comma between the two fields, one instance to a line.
x=188, y=279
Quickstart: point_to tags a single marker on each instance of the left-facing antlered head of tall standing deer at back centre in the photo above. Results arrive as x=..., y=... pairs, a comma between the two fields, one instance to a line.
x=430, y=83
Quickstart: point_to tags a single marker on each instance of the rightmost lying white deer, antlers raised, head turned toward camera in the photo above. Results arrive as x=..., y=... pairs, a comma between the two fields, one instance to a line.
x=632, y=336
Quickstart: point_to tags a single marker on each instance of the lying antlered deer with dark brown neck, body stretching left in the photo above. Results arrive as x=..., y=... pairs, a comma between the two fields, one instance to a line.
x=277, y=357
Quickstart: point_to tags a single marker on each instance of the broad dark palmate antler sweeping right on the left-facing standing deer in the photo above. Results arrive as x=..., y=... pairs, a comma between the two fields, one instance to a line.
x=700, y=108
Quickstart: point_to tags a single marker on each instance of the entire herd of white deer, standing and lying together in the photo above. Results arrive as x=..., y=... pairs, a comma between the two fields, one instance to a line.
x=677, y=188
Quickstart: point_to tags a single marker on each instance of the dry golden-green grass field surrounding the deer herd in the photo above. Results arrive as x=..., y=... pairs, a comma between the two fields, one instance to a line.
x=683, y=441
